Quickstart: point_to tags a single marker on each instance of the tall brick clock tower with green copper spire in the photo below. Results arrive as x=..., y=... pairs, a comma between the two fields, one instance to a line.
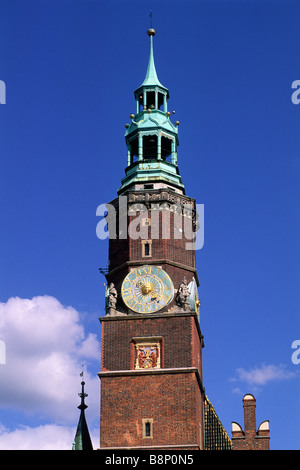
x=152, y=394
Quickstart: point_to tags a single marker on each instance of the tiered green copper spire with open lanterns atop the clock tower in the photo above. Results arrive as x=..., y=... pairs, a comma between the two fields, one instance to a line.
x=151, y=138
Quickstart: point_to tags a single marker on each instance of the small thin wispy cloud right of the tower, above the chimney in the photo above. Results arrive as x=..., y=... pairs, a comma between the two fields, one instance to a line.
x=263, y=374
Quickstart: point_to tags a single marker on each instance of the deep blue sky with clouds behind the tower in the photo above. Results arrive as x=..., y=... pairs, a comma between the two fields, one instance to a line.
x=70, y=69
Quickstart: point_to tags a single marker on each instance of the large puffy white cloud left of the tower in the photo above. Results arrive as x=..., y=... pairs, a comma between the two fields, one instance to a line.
x=45, y=347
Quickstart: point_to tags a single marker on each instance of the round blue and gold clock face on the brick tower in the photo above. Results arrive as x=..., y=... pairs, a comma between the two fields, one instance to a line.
x=147, y=289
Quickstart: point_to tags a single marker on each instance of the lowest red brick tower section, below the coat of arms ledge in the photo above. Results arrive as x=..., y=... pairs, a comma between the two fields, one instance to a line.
x=172, y=401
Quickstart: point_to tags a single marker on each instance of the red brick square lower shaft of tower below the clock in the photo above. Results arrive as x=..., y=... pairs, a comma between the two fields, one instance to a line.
x=170, y=396
